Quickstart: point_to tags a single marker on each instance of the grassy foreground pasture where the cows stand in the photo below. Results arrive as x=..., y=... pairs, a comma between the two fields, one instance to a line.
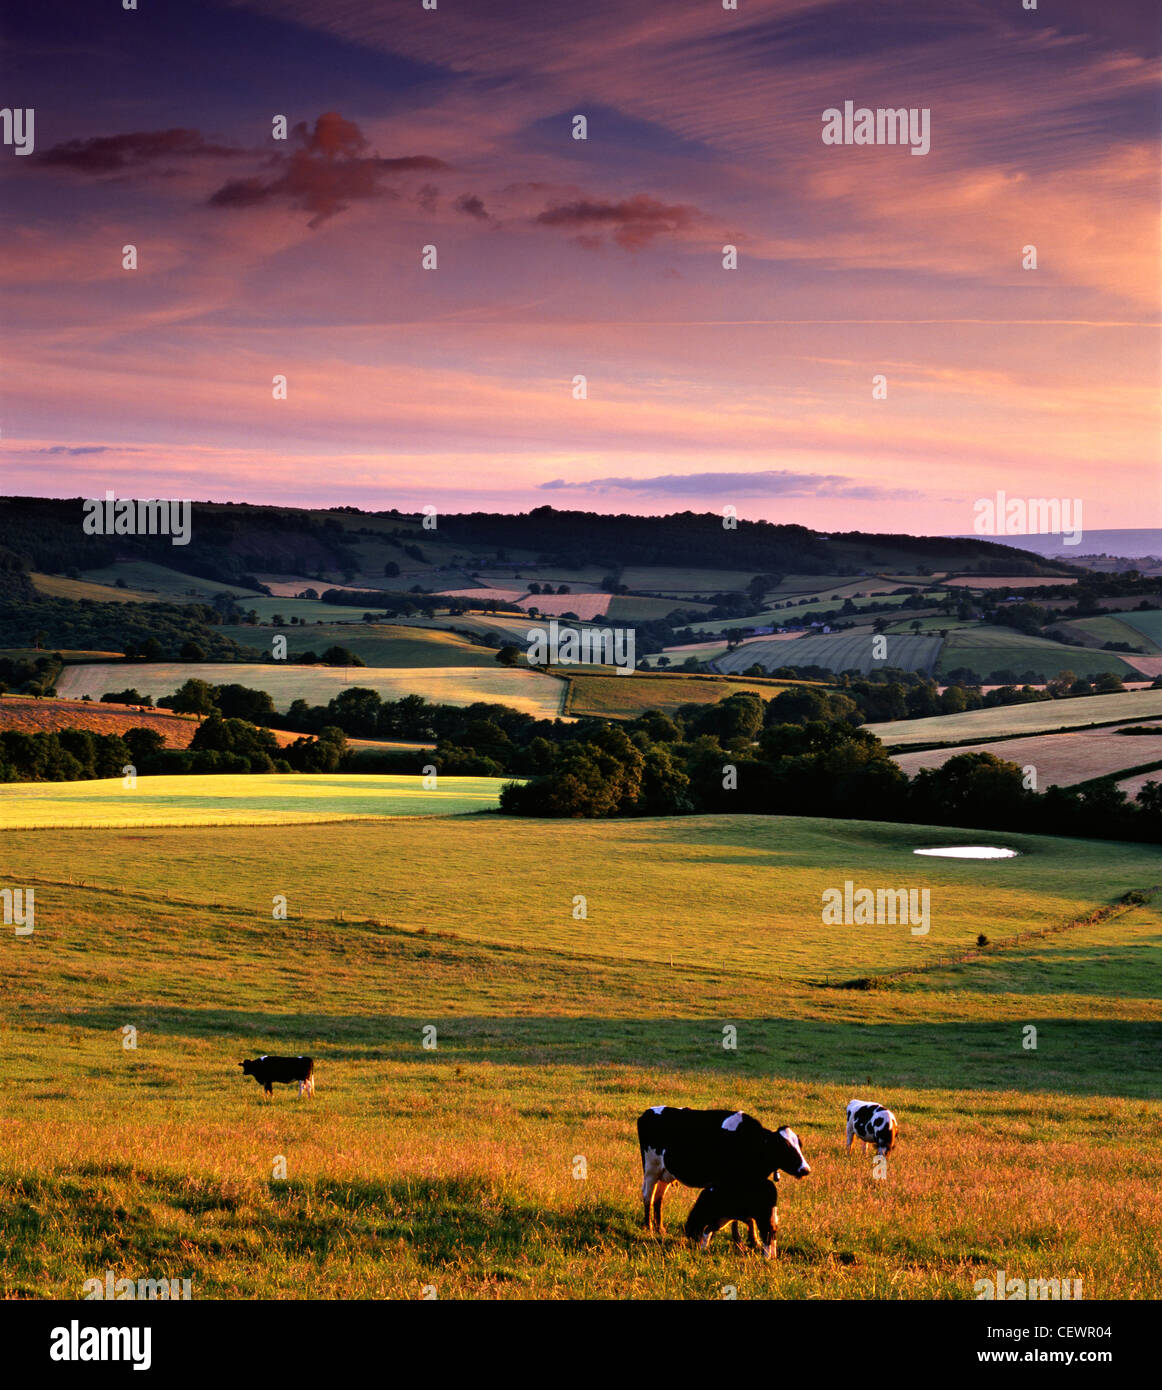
x=502, y=1163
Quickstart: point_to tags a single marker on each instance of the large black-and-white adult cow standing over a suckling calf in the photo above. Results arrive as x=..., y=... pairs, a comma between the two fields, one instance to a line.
x=705, y=1149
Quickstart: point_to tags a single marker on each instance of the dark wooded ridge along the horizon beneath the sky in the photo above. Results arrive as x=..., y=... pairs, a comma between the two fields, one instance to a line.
x=234, y=543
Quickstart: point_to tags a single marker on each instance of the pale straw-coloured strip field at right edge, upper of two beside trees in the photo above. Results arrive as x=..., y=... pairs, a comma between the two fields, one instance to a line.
x=1022, y=719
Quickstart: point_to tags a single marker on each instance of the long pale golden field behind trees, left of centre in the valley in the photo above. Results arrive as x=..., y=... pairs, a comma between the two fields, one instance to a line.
x=530, y=692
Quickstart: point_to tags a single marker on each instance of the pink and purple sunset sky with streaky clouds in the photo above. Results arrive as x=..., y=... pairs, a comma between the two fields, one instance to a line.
x=603, y=258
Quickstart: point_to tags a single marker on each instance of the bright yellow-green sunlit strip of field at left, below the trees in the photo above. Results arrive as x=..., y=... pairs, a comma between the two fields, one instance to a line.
x=243, y=800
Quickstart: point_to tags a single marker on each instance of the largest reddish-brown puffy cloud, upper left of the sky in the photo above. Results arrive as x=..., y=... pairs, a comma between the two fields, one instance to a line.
x=325, y=173
